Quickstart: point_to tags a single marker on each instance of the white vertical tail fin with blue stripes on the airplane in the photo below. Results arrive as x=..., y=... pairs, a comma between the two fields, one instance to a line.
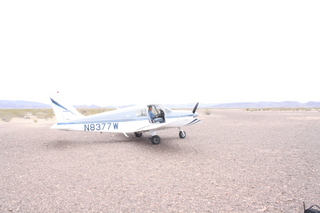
x=64, y=112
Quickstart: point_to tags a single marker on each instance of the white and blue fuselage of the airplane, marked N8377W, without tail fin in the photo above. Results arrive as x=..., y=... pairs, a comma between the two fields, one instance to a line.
x=126, y=121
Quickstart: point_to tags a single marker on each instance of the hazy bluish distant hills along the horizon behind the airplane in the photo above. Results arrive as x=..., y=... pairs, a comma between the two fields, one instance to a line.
x=7, y=104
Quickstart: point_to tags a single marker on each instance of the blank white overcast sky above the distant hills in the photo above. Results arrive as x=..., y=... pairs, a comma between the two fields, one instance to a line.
x=121, y=52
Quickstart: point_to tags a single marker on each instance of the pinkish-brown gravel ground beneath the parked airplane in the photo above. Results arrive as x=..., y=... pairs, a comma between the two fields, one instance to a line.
x=234, y=161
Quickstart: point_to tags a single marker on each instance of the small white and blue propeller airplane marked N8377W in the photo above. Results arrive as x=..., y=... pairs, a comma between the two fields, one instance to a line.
x=134, y=119
